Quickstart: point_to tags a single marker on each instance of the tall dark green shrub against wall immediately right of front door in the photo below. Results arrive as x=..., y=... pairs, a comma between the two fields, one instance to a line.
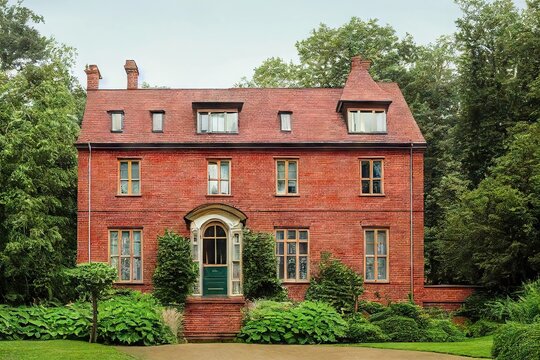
x=259, y=267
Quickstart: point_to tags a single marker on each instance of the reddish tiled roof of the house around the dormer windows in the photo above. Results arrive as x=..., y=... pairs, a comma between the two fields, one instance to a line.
x=314, y=118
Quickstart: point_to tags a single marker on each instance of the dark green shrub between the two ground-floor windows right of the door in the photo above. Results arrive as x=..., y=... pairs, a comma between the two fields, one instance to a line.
x=337, y=284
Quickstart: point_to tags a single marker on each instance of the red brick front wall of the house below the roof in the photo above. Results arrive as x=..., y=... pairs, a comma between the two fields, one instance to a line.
x=174, y=182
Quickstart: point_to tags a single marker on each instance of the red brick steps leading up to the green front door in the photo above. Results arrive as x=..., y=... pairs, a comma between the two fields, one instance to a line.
x=212, y=318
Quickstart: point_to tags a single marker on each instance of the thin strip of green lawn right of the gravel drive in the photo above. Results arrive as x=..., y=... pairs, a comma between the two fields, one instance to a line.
x=479, y=347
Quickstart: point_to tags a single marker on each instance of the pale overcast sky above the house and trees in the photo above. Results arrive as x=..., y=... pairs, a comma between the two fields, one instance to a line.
x=212, y=43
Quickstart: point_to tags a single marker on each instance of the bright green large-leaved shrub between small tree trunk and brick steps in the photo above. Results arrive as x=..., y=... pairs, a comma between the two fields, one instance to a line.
x=133, y=321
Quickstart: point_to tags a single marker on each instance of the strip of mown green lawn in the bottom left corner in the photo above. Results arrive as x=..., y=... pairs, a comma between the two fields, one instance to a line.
x=58, y=350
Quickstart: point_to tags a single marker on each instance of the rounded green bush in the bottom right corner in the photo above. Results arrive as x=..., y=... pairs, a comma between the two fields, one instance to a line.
x=515, y=341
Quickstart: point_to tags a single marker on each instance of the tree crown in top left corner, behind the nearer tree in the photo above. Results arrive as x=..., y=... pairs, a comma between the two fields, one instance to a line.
x=20, y=42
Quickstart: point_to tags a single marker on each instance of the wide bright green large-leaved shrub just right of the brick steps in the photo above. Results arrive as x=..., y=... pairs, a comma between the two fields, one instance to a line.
x=306, y=323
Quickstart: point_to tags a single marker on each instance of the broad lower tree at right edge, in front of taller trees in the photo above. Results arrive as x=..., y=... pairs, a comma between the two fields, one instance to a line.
x=492, y=236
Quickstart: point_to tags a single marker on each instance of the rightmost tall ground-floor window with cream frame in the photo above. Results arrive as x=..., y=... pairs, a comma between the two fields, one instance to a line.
x=376, y=255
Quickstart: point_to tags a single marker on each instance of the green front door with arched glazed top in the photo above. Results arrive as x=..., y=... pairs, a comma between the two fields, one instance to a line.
x=215, y=261
